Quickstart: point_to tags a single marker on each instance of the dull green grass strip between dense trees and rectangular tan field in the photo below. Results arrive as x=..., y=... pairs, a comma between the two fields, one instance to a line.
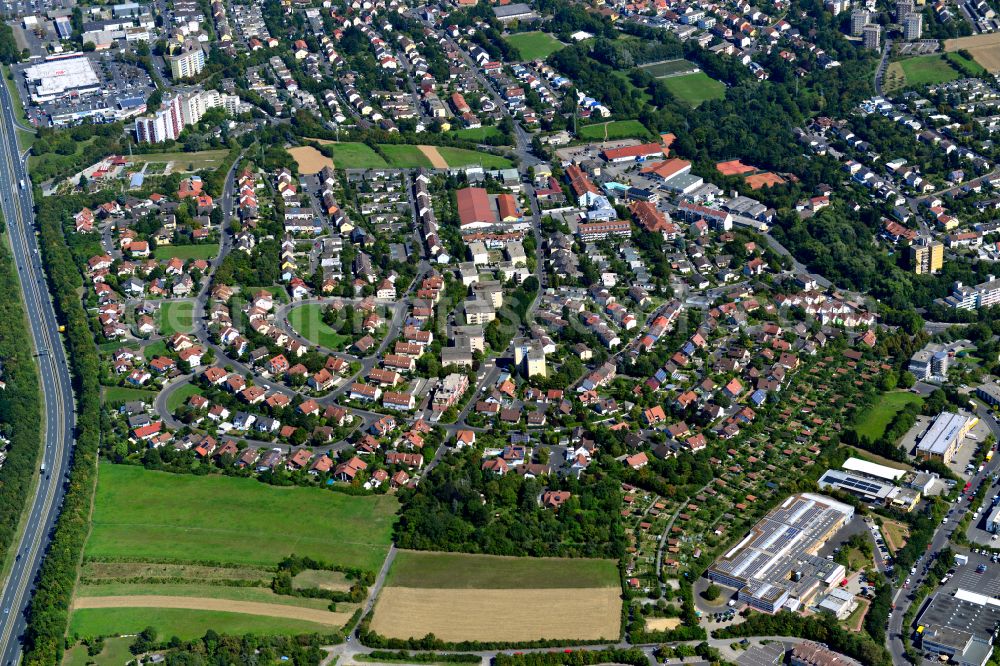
x=456, y=570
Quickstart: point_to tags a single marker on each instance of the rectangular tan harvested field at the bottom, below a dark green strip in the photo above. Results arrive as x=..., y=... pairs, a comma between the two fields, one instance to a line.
x=456, y=615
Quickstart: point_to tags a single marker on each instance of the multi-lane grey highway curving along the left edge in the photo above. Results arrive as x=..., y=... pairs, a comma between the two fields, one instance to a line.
x=57, y=395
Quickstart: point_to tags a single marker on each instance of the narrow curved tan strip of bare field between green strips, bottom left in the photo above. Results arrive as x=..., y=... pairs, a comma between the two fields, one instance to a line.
x=205, y=604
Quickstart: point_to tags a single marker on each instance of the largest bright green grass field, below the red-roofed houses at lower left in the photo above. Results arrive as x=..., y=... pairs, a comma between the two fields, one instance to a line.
x=213, y=518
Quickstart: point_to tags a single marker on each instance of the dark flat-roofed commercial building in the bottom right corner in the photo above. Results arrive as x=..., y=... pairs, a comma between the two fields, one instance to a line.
x=960, y=626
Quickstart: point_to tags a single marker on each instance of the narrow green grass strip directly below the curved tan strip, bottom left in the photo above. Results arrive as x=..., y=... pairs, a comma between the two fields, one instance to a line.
x=183, y=623
